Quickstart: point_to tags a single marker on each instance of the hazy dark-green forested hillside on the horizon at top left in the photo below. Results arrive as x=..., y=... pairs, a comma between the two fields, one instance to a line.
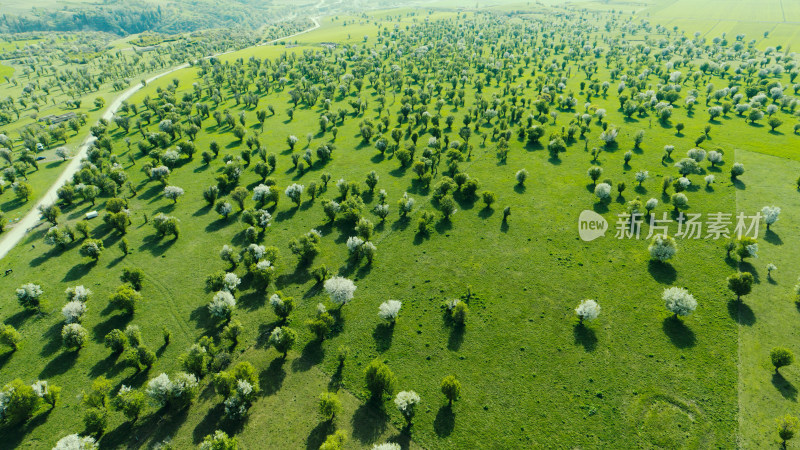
x=129, y=17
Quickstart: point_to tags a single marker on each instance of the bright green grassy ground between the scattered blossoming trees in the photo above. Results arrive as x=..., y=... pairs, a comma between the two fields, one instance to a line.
x=531, y=378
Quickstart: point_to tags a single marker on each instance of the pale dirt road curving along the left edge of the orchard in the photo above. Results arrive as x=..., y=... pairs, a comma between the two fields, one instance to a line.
x=14, y=234
